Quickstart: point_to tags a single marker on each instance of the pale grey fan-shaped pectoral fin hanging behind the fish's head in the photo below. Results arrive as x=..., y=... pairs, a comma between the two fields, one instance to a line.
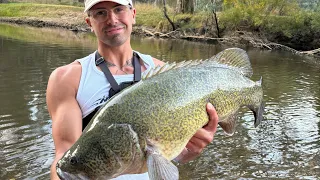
x=159, y=168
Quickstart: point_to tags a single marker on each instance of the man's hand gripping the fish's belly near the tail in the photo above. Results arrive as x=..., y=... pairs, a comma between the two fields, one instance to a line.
x=201, y=139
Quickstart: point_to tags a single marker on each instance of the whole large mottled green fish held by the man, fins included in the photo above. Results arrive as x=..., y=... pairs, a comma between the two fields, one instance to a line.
x=145, y=126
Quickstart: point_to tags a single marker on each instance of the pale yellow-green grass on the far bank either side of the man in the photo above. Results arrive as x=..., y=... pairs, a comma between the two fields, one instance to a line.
x=148, y=15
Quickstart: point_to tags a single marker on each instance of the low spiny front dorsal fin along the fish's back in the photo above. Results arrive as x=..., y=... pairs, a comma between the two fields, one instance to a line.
x=168, y=66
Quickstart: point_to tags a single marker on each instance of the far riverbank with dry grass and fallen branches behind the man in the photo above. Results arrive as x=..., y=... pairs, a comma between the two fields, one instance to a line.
x=72, y=18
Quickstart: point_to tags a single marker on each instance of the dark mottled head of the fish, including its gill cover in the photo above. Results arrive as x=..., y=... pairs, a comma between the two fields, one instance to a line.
x=100, y=154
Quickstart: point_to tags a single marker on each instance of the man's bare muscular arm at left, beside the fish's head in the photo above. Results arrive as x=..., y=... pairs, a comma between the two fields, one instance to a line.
x=64, y=110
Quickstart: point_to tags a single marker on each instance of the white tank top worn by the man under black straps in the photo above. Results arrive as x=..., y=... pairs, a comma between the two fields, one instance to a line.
x=93, y=91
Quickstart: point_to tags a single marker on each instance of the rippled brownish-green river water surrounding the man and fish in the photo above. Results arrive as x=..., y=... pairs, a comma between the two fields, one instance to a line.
x=285, y=146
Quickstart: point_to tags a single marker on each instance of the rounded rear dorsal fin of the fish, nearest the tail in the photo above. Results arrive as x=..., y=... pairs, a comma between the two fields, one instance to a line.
x=235, y=58
